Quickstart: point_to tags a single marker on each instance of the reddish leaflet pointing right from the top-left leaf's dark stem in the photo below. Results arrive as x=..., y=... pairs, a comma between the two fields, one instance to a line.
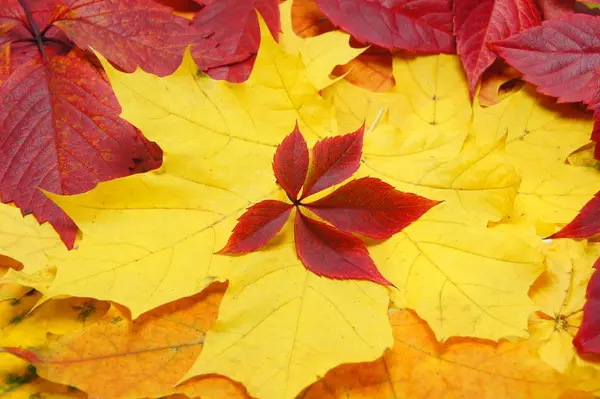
x=129, y=33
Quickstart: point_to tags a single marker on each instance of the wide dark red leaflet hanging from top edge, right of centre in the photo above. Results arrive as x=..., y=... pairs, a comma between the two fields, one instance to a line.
x=419, y=26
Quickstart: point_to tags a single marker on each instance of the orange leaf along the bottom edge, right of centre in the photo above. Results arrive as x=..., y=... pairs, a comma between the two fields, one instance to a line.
x=420, y=367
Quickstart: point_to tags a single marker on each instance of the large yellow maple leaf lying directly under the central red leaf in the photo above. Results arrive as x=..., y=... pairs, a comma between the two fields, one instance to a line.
x=151, y=239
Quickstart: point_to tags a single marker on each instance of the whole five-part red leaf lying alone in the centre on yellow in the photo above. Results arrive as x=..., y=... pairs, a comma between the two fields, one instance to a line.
x=366, y=206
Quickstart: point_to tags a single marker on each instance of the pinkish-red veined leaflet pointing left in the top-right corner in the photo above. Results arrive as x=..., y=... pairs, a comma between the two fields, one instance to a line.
x=561, y=57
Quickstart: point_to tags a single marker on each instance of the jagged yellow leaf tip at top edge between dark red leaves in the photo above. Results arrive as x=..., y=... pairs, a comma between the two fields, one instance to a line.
x=320, y=54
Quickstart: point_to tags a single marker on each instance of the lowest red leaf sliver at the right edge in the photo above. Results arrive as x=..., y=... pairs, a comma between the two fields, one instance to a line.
x=587, y=340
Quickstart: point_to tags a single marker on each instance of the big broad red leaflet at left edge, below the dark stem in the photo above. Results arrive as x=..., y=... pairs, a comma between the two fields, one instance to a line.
x=59, y=130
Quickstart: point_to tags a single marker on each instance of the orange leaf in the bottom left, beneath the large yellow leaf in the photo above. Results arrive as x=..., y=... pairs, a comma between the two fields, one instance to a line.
x=117, y=358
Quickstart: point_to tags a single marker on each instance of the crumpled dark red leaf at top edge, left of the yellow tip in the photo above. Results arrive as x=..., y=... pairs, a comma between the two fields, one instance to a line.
x=228, y=36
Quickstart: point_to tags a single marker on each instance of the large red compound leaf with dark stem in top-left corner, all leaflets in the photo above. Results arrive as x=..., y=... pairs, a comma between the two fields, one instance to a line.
x=59, y=119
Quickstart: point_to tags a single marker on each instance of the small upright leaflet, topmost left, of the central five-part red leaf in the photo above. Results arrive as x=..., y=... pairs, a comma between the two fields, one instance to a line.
x=290, y=163
